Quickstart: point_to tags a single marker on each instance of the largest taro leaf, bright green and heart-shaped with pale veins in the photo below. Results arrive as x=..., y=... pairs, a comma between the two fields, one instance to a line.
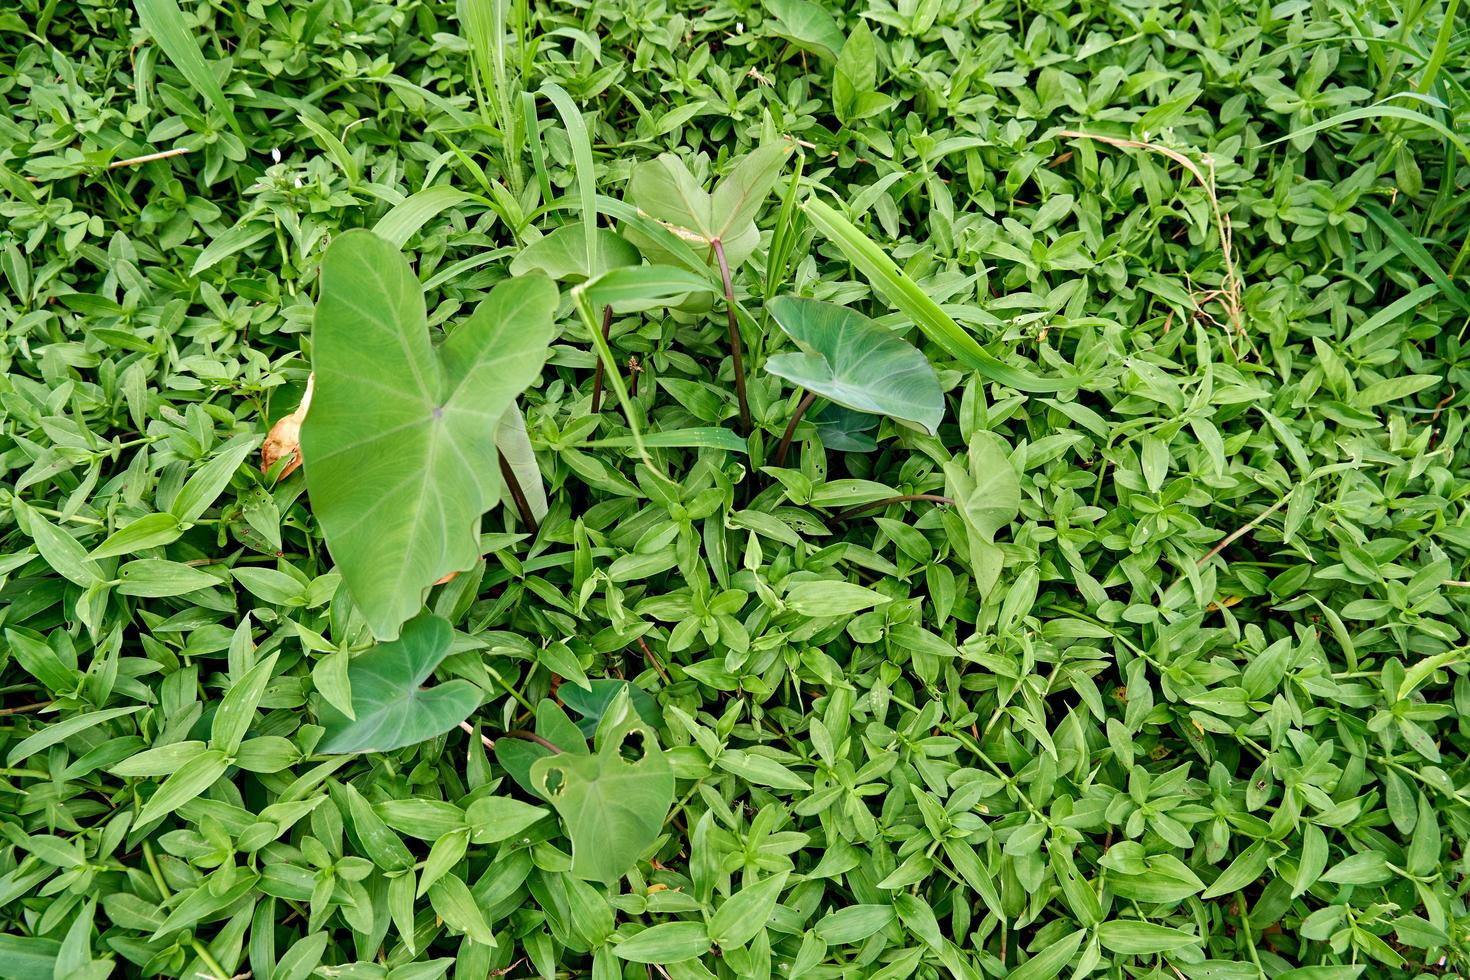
x=401, y=440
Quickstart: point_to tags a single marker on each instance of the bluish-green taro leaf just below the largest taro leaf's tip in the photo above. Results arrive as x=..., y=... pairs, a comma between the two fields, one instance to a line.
x=390, y=706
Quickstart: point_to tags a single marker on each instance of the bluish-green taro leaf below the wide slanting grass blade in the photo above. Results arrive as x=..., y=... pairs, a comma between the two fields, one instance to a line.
x=856, y=364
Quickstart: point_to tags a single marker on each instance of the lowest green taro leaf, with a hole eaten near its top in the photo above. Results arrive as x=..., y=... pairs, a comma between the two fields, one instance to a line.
x=612, y=806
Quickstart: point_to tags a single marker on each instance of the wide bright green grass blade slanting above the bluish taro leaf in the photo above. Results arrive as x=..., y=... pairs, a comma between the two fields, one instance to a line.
x=906, y=295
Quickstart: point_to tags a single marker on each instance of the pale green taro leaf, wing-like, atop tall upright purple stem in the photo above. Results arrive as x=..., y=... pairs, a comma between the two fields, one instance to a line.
x=665, y=190
